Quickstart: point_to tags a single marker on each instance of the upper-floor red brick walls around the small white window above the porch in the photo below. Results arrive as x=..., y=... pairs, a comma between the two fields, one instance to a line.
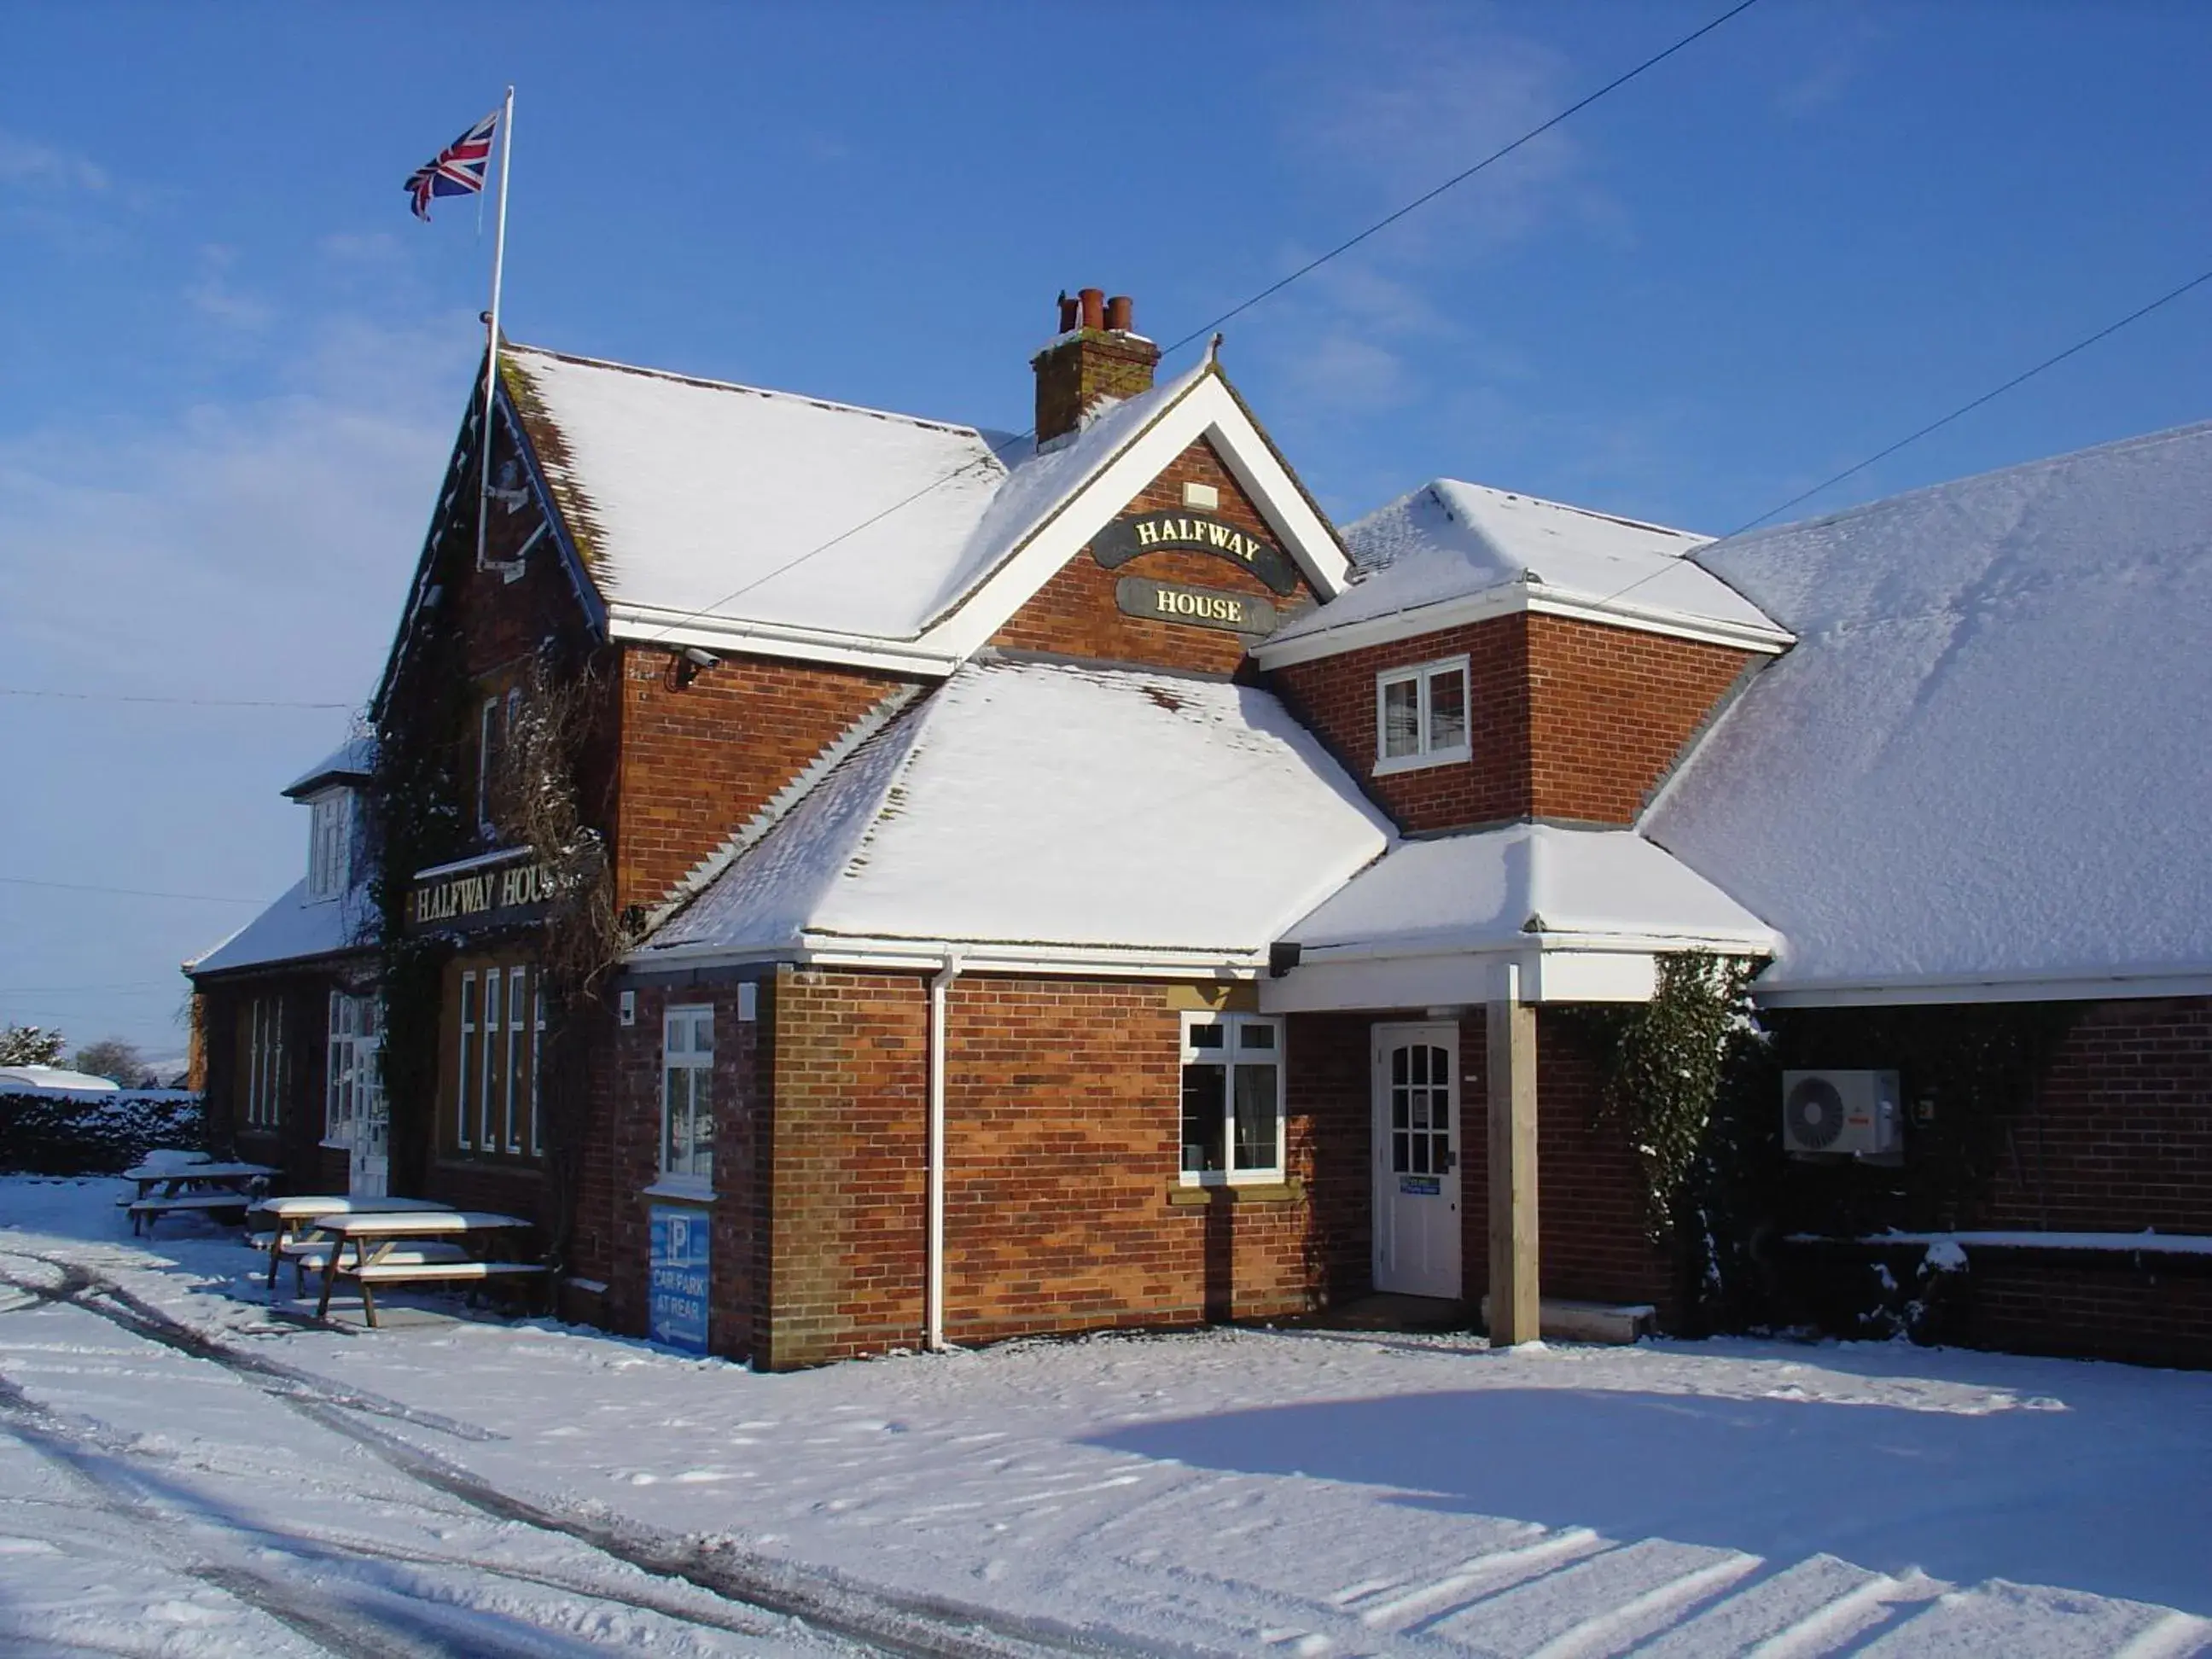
x=1567, y=720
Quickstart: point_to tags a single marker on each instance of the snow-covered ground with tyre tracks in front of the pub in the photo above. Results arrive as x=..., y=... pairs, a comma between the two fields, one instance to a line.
x=187, y=1474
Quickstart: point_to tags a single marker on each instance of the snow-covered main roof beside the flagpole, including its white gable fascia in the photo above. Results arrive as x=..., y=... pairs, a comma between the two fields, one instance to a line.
x=724, y=514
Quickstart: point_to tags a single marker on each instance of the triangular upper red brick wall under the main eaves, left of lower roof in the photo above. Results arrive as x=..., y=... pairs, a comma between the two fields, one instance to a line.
x=700, y=760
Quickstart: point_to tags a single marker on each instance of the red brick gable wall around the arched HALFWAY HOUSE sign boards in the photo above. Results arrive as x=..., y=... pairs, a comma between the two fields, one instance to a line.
x=1076, y=612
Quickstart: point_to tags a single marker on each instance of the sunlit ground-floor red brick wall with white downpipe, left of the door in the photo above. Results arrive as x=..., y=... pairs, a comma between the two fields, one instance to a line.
x=1063, y=1156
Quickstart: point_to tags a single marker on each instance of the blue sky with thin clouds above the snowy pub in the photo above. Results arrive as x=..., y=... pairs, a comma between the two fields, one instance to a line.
x=231, y=364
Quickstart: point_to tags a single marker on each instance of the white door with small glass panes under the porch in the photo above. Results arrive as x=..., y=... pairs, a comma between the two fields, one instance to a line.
x=1417, y=1167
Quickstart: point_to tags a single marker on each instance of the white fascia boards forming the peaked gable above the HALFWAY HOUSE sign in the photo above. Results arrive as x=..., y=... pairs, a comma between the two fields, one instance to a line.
x=1207, y=410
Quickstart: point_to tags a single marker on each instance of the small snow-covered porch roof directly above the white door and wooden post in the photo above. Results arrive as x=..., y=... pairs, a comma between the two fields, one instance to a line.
x=1527, y=884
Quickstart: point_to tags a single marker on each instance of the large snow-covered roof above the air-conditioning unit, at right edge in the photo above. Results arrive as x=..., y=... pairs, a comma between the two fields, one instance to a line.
x=1985, y=760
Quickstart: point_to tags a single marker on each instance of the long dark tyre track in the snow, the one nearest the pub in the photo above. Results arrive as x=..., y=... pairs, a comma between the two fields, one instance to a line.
x=875, y=1618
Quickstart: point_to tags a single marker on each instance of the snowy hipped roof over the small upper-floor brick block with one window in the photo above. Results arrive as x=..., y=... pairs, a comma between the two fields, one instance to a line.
x=1450, y=543
